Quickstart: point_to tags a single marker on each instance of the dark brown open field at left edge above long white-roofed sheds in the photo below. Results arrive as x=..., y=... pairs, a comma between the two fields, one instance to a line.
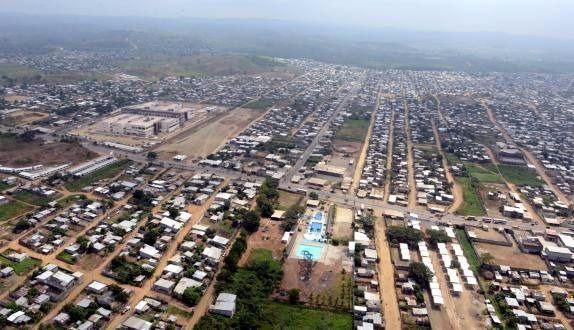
x=16, y=152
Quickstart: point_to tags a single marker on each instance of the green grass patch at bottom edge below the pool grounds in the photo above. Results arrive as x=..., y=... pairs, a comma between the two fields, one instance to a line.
x=299, y=317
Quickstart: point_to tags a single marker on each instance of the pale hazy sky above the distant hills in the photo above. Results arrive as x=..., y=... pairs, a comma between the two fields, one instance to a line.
x=530, y=17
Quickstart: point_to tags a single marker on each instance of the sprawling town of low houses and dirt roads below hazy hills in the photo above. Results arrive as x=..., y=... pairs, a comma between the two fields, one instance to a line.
x=150, y=180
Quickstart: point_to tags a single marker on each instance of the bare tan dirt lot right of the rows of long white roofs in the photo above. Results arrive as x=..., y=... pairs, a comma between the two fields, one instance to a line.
x=511, y=256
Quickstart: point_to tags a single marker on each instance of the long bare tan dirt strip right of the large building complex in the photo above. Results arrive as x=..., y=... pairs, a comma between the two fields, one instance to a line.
x=211, y=136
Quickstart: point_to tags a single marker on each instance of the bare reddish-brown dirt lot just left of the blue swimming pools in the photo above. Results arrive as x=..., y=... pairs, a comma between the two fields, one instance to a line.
x=267, y=237
